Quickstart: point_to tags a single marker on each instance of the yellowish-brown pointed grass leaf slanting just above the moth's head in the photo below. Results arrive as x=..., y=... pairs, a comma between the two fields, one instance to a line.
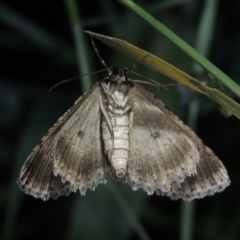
x=170, y=71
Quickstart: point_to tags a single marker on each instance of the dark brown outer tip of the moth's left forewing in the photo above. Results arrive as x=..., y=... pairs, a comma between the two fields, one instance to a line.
x=37, y=178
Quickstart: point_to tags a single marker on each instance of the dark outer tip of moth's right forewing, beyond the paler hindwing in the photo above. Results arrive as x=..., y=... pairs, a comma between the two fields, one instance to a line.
x=211, y=177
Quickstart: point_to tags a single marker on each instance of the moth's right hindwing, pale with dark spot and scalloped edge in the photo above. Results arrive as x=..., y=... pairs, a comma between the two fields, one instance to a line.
x=157, y=144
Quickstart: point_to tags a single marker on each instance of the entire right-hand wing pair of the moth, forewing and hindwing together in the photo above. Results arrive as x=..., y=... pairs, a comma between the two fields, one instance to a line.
x=166, y=157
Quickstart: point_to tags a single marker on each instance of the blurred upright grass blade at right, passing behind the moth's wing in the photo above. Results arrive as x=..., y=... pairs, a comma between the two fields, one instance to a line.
x=203, y=41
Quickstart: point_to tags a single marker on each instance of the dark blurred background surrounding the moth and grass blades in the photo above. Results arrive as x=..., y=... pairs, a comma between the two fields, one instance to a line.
x=37, y=51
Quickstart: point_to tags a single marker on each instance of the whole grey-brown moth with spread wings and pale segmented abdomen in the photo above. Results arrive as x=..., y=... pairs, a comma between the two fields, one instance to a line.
x=118, y=129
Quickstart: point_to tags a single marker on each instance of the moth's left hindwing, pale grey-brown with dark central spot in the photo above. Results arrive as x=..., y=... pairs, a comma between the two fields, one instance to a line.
x=78, y=156
